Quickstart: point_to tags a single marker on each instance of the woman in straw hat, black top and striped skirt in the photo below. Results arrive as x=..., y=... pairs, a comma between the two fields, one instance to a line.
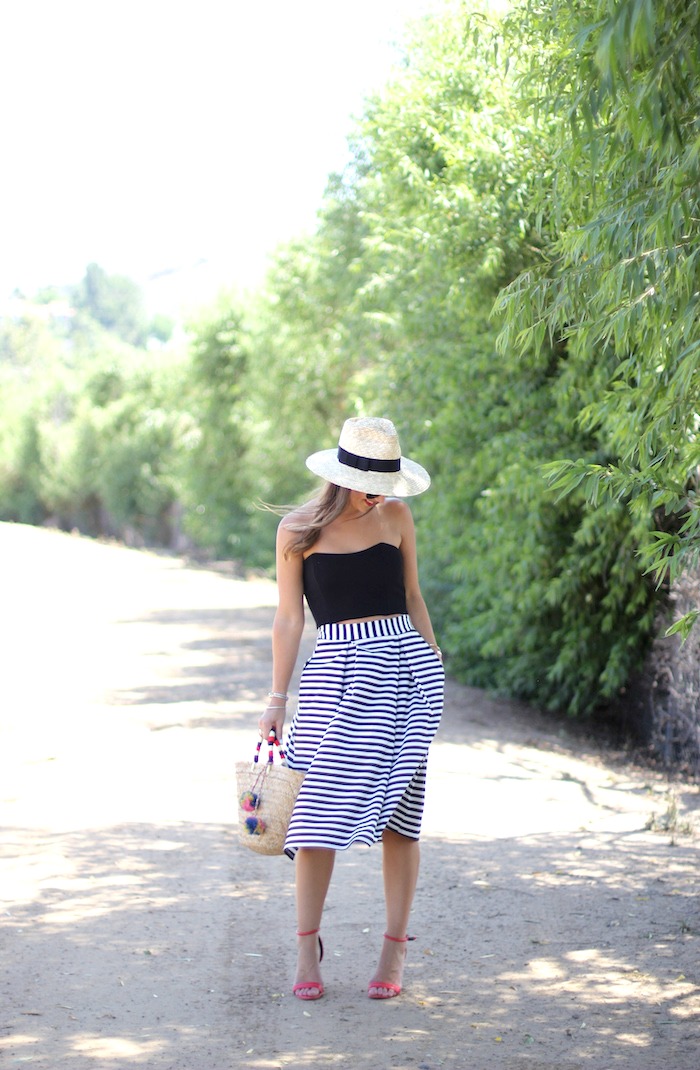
x=370, y=697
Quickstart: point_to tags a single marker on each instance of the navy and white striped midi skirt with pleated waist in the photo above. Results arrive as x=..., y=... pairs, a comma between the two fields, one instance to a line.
x=370, y=704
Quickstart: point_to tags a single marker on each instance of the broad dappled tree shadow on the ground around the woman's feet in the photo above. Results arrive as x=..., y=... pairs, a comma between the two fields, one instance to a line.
x=570, y=954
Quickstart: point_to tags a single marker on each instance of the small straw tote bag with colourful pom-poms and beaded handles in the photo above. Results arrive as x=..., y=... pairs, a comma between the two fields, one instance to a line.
x=267, y=796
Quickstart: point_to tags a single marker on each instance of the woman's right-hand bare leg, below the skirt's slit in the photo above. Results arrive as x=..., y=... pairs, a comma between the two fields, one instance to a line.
x=401, y=862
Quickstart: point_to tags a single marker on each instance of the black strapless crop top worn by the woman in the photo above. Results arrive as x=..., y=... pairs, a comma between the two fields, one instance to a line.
x=343, y=587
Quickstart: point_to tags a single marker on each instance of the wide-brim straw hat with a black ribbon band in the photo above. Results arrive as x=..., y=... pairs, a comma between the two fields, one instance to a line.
x=369, y=458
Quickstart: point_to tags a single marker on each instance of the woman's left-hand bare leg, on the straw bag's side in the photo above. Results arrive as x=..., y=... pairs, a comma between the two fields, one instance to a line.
x=314, y=869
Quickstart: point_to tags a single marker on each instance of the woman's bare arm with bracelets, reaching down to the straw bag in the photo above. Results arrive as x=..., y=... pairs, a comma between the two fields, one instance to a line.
x=287, y=631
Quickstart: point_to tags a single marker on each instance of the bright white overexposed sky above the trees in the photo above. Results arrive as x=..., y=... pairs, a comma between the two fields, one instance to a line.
x=150, y=134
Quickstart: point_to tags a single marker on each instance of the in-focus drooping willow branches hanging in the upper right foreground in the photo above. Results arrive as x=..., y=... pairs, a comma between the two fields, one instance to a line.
x=619, y=278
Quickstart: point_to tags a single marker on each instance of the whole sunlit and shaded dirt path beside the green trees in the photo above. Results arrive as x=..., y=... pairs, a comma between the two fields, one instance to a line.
x=556, y=929
